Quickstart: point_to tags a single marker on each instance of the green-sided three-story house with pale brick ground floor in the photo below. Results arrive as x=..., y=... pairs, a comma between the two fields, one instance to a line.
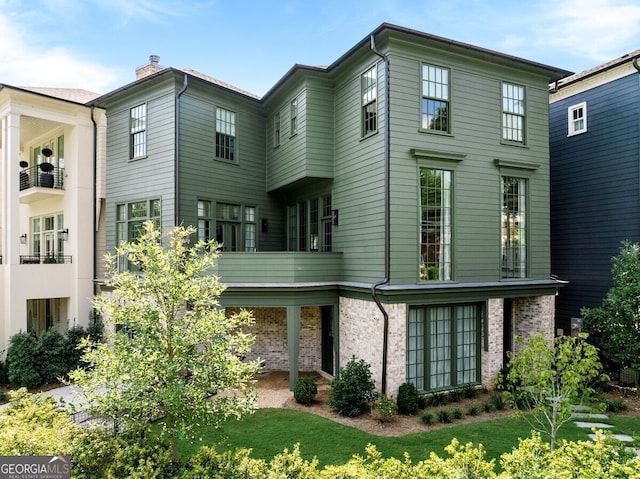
x=393, y=206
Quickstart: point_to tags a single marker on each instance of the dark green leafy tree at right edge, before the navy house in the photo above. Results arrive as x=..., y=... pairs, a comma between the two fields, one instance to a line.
x=614, y=327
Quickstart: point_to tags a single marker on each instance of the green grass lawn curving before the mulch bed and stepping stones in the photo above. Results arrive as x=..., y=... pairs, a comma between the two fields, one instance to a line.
x=269, y=431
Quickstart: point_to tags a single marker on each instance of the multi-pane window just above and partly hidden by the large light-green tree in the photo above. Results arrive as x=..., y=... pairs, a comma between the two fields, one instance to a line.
x=130, y=219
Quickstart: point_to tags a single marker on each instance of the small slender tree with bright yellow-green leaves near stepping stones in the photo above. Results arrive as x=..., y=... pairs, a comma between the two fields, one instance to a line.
x=550, y=378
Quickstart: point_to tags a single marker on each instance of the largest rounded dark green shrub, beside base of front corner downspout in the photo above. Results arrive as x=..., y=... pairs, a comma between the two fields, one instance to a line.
x=353, y=389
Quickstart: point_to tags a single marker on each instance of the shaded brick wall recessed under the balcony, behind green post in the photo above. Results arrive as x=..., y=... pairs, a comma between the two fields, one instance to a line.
x=271, y=346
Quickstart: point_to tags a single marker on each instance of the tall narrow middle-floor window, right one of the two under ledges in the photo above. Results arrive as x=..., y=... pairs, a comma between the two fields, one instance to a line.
x=514, y=227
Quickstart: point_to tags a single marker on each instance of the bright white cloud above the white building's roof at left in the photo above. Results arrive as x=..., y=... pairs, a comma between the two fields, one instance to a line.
x=24, y=63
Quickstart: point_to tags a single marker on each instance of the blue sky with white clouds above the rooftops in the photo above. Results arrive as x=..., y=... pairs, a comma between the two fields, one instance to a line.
x=97, y=44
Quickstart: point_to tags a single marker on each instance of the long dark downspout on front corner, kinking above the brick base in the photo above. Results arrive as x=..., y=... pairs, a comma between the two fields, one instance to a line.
x=387, y=216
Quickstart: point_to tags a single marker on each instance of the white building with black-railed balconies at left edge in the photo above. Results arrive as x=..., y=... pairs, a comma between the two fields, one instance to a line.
x=48, y=219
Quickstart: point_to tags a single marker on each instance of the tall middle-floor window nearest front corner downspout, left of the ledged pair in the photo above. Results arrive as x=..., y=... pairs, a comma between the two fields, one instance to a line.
x=435, y=224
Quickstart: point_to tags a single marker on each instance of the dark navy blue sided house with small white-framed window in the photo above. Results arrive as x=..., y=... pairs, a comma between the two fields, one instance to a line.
x=595, y=172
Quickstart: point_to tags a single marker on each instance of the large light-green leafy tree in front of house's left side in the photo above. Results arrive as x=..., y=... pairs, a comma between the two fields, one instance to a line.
x=169, y=351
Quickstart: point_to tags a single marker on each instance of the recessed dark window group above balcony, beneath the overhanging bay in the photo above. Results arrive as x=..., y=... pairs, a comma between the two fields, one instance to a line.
x=309, y=225
